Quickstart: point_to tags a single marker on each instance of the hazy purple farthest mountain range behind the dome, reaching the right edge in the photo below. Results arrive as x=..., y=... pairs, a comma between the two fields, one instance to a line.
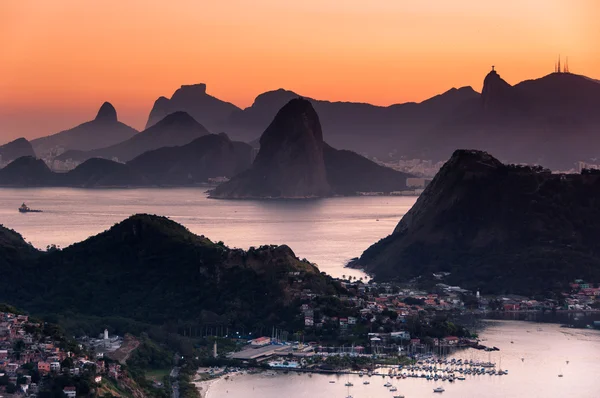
x=550, y=120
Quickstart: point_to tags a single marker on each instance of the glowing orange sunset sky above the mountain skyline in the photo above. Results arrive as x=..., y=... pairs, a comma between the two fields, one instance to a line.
x=60, y=59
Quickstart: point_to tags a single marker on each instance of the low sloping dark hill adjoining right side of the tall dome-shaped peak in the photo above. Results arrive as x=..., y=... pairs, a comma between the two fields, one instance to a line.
x=349, y=173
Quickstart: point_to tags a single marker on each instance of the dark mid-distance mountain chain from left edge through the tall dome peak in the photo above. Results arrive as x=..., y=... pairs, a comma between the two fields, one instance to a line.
x=293, y=161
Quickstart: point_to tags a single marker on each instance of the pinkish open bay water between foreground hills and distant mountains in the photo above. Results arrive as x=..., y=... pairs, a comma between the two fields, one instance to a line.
x=328, y=232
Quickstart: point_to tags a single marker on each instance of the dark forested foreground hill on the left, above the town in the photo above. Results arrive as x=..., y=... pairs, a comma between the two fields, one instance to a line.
x=162, y=272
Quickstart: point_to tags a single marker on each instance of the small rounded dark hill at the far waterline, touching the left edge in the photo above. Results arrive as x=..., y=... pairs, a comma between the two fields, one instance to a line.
x=26, y=171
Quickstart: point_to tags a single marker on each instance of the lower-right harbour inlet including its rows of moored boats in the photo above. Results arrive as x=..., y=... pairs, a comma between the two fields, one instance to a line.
x=530, y=367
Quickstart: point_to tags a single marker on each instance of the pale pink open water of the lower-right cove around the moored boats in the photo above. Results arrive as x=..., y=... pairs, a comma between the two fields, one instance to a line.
x=545, y=354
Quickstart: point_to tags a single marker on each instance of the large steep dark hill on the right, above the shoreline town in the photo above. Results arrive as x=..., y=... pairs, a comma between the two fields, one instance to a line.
x=496, y=228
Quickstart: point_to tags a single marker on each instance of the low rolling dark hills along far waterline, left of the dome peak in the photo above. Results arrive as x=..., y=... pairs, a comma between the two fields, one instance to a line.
x=209, y=156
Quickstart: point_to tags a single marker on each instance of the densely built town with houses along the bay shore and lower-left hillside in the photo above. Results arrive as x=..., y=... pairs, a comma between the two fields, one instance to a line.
x=380, y=324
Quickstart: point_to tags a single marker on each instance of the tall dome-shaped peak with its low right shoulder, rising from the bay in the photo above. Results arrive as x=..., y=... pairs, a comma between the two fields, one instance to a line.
x=295, y=162
